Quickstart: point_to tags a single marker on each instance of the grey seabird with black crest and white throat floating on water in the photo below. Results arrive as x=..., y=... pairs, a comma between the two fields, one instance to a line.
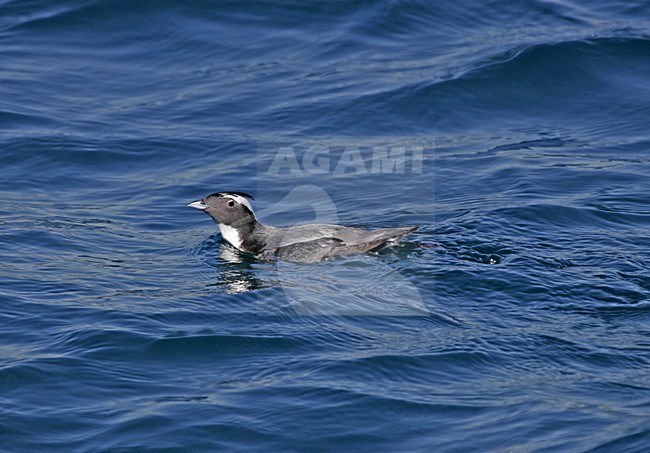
x=304, y=243
